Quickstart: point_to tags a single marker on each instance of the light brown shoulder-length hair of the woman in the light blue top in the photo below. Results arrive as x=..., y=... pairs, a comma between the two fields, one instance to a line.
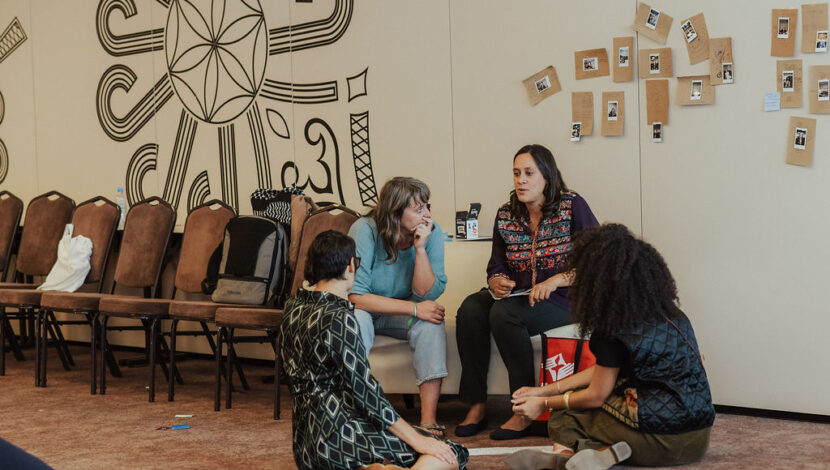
x=395, y=196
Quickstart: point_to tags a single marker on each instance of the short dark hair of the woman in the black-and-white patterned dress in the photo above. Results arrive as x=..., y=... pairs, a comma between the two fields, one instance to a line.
x=328, y=256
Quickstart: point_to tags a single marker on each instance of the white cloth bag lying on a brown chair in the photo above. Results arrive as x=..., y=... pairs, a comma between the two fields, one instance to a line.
x=72, y=266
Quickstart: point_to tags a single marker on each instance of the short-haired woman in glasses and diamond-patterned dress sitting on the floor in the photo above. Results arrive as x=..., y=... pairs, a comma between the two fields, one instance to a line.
x=341, y=418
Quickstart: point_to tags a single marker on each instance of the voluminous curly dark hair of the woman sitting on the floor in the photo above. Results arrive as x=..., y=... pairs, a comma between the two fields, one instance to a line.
x=619, y=281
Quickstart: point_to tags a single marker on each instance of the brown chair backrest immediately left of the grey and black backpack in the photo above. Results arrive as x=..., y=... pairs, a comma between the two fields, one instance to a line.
x=203, y=232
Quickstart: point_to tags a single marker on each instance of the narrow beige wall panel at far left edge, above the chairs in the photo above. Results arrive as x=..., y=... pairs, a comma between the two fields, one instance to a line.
x=17, y=123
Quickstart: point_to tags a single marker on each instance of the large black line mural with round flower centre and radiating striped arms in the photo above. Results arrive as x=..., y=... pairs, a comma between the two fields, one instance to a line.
x=216, y=55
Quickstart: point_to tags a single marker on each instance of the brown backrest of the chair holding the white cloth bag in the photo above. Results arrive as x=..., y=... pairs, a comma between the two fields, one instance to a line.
x=97, y=219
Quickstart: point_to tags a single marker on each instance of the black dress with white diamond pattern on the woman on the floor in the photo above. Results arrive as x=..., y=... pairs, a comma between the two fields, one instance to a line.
x=340, y=414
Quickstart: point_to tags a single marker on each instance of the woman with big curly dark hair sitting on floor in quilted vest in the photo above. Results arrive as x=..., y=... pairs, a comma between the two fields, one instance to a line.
x=647, y=397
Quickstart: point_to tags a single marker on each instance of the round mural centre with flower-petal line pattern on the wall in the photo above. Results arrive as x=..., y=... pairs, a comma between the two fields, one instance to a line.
x=216, y=53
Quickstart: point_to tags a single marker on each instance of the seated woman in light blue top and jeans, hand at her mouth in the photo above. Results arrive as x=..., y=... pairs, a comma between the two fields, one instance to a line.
x=400, y=277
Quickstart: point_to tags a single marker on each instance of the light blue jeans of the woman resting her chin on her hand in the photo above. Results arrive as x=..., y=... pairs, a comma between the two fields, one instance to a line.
x=427, y=340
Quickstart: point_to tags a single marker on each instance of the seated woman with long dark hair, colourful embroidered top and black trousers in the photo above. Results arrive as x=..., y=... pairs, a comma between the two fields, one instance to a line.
x=531, y=240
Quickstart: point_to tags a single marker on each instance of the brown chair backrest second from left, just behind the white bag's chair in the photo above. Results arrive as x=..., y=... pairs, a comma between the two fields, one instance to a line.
x=46, y=218
